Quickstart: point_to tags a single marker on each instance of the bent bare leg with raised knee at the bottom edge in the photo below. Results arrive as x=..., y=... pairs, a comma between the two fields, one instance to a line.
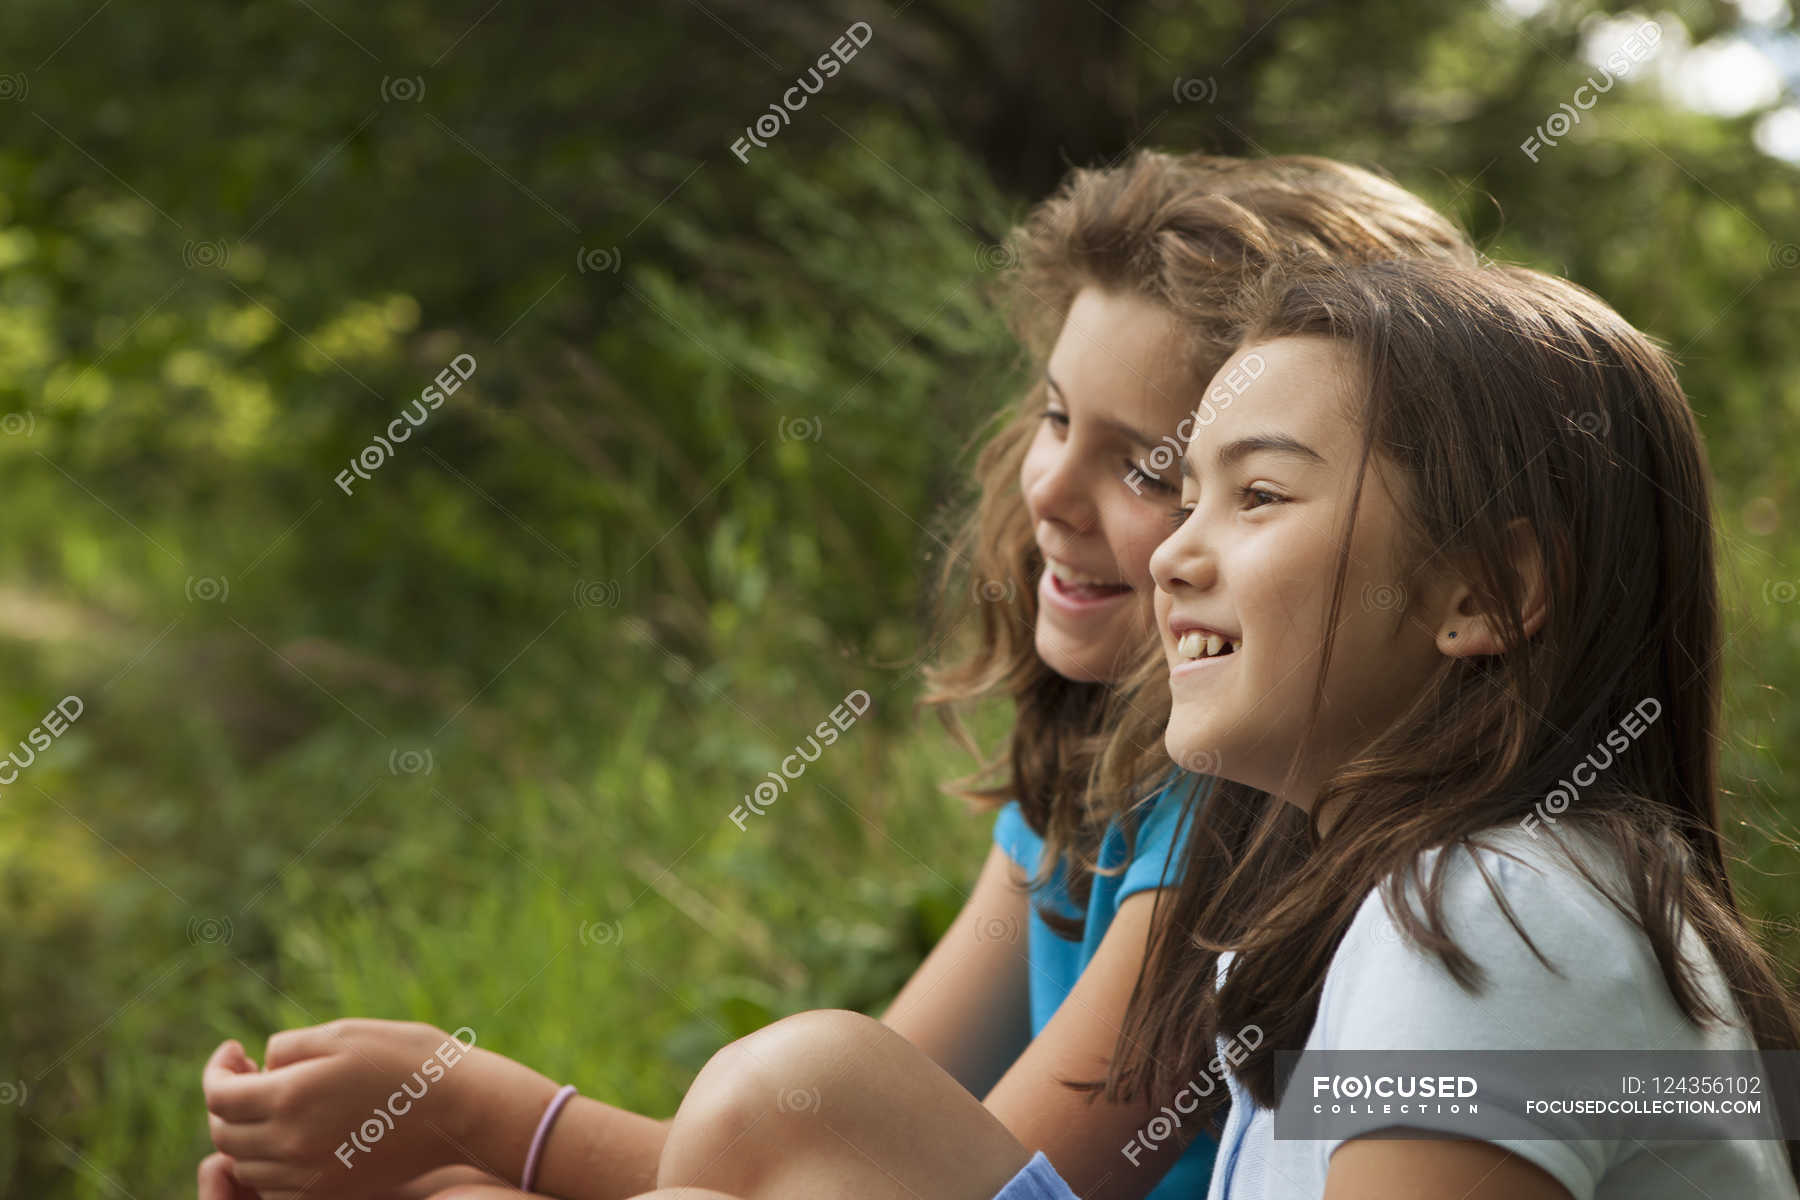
x=829, y=1106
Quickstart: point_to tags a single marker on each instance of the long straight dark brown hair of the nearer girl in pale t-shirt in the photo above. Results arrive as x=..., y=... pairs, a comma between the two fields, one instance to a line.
x=1493, y=397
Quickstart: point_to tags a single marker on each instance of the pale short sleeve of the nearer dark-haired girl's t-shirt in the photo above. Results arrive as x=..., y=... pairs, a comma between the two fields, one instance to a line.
x=1383, y=992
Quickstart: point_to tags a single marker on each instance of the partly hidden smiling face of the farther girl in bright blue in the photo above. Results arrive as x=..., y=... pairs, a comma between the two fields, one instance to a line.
x=1115, y=388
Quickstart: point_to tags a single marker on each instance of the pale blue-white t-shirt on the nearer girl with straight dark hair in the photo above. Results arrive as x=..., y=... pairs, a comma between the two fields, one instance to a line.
x=1387, y=994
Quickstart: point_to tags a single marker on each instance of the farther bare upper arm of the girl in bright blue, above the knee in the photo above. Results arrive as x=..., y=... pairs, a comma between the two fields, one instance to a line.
x=969, y=1005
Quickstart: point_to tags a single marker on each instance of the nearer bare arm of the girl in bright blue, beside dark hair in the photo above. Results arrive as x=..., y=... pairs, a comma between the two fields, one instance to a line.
x=1084, y=1142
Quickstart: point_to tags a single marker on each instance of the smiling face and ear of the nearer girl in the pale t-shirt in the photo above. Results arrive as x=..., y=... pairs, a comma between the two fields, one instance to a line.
x=1266, y=487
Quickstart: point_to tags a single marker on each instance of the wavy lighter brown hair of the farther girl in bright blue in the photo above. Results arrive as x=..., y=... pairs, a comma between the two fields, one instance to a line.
x=1189, y=233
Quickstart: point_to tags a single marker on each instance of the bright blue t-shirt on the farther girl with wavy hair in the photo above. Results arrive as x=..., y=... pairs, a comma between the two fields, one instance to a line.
x=1057, y=963
